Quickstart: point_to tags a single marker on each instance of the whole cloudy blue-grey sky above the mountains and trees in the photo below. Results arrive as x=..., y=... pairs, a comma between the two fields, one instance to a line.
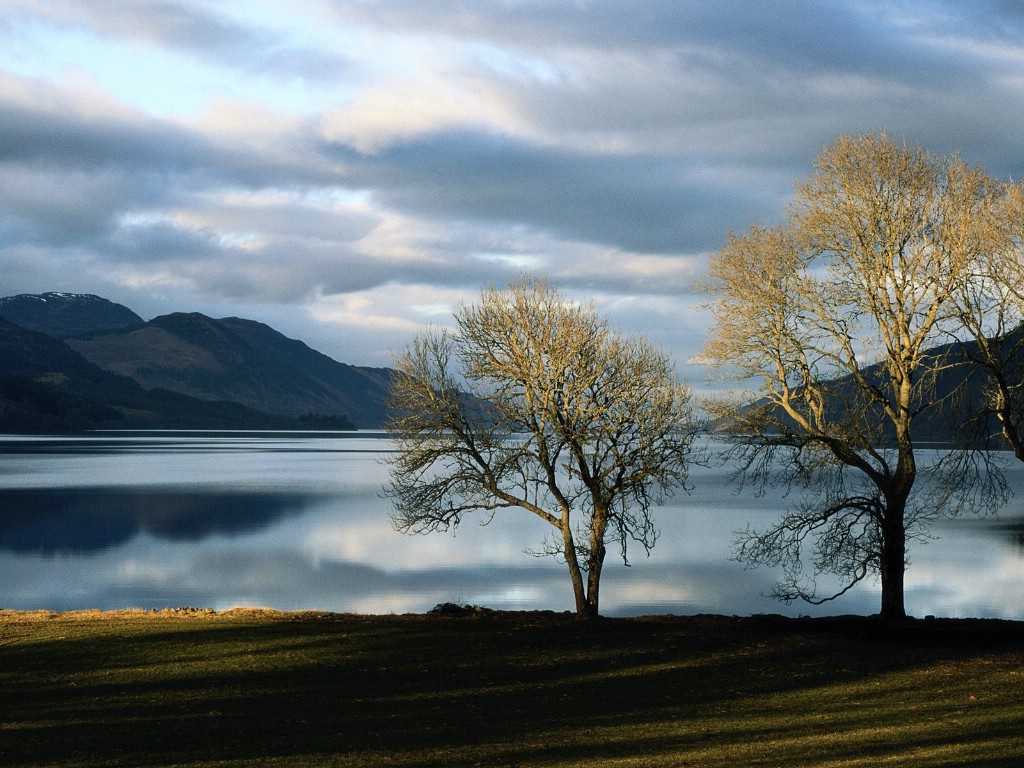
x=348, y=170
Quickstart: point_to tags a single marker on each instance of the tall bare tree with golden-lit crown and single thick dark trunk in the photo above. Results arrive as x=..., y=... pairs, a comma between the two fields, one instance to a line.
x=834, y=315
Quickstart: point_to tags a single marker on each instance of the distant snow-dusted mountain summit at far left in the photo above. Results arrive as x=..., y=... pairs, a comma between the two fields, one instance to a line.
x=65, y=316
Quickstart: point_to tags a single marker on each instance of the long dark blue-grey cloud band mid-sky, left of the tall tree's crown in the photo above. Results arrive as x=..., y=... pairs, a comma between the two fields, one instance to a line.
x=650, y=204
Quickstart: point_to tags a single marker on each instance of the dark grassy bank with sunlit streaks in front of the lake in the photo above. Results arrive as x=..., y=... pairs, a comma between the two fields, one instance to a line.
x=242, y=689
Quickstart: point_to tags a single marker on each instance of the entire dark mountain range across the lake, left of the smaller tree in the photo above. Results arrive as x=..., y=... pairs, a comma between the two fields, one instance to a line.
x=77, y=362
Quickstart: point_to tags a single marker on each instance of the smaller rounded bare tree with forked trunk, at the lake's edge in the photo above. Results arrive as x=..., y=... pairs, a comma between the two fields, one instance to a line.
x=534, y=403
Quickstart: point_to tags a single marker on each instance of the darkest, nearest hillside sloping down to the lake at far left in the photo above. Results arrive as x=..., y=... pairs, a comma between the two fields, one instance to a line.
x=46, y=387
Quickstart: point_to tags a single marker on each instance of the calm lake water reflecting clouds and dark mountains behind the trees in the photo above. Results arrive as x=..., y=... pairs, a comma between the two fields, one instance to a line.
x=296, y=522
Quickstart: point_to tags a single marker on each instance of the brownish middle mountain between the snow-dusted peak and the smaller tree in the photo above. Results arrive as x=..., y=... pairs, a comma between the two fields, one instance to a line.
x=240, y=361
